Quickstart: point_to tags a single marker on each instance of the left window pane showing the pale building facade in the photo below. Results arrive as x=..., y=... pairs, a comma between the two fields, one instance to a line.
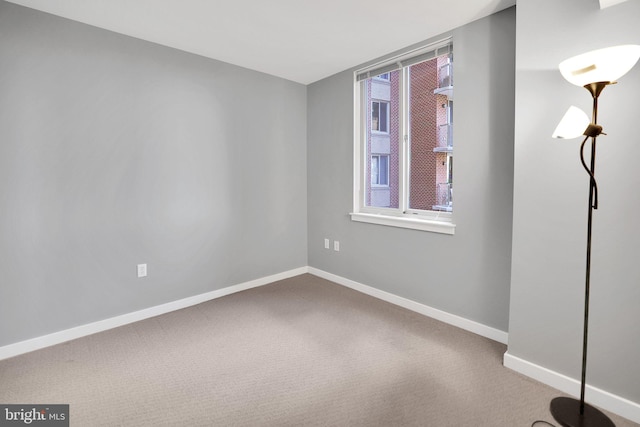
x=382, y=149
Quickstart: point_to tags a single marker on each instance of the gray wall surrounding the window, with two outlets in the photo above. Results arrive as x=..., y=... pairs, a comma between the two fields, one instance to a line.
x=466, y=274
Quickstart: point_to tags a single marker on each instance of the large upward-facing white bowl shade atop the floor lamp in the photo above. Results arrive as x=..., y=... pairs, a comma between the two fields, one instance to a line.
x=602, y=65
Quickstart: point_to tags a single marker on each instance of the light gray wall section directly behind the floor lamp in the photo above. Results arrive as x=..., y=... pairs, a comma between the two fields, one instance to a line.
x=550, y=206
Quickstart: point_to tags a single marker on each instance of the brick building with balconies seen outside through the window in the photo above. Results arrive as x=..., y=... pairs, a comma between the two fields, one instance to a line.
x=424, y=129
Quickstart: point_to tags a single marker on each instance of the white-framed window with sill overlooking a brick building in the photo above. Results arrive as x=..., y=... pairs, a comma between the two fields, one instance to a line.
x=404, y=141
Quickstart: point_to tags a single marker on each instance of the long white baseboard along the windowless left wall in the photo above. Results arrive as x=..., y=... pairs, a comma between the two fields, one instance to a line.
x=27, y=346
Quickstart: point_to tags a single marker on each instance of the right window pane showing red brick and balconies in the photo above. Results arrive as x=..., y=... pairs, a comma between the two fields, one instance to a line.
x=430, y=130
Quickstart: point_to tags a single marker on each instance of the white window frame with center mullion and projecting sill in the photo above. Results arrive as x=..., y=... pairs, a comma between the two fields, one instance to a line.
x=424, y=220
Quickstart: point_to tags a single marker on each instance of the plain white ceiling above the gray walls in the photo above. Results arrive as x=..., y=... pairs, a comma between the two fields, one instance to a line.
x=299, y=40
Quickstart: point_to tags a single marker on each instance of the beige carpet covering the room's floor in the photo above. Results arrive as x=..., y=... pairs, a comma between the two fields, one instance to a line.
x=302, y=351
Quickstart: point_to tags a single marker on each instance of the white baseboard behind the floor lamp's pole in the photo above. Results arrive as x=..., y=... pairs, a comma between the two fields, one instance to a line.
x=593, y=395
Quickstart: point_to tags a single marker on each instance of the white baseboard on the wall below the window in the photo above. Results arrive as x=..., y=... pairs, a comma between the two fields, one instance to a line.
x=443, y=316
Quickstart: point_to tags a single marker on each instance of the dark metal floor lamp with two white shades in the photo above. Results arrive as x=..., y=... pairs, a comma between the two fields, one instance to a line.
x=594, y=71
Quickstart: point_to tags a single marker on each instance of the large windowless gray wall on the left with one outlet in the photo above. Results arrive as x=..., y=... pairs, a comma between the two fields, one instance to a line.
x=114, y=152
